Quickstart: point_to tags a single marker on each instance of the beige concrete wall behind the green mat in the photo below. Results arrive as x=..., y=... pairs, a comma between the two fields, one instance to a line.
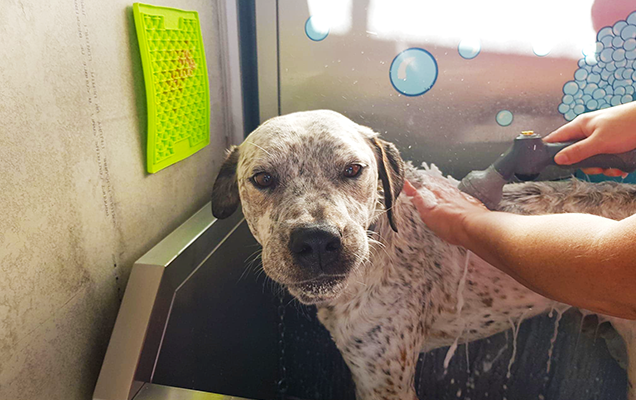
x=76, y=205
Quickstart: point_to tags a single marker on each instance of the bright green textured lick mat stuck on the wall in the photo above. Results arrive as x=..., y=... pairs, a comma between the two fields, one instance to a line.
x=177, y=86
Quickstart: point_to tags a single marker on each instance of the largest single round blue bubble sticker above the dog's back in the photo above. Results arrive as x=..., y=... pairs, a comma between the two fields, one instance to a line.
x=413, y=72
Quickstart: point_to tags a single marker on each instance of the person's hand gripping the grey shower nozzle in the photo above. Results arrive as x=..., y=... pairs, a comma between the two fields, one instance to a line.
x=608, y=131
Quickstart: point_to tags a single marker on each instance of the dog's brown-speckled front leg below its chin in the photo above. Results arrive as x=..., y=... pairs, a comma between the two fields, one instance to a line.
x=381, y=355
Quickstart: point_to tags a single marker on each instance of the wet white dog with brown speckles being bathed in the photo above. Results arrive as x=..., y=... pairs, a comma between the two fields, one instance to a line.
x=321, y=194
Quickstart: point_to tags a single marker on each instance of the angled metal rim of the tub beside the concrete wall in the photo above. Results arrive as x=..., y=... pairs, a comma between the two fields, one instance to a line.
x=136, y=338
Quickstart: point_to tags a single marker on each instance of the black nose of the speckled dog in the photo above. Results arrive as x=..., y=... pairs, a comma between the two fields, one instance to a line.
x=316, y=247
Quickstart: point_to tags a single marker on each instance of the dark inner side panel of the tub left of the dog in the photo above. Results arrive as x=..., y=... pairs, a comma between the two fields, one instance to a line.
x=221, y=335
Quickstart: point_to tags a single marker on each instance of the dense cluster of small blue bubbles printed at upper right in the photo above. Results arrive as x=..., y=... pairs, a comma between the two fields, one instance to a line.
x=606, y=75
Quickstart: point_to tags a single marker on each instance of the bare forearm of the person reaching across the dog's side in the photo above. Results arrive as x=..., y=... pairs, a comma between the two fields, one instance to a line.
x=579, y=259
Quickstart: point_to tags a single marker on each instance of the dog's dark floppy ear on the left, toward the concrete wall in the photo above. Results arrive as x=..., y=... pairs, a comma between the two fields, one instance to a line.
x=225, y=198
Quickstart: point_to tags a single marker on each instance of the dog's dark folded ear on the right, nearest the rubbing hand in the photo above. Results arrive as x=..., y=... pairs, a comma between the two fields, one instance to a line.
x=391, y=172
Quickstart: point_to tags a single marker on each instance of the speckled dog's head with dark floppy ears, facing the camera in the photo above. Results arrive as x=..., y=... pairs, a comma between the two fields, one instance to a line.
x=309, y=186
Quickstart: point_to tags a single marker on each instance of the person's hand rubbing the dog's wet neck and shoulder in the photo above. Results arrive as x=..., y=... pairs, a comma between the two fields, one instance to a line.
x=445, y=210
